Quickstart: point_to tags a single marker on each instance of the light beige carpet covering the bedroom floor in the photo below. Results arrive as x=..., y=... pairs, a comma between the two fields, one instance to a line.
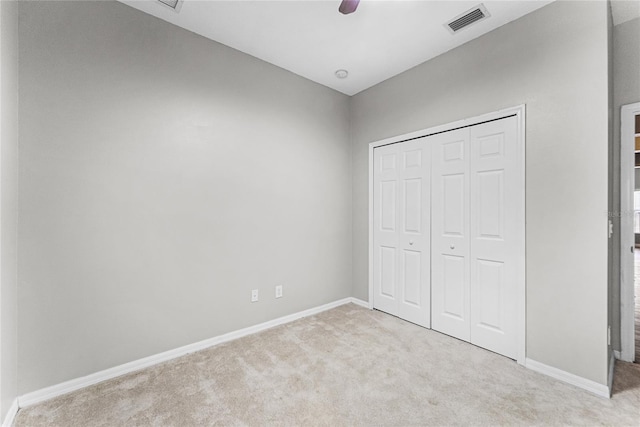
x=346, y=366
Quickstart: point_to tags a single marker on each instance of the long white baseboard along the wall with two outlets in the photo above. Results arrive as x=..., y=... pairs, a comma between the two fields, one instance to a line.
x=107, y=374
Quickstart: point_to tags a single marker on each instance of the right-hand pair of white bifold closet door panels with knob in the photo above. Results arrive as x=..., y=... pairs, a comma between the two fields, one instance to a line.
x=475, y=220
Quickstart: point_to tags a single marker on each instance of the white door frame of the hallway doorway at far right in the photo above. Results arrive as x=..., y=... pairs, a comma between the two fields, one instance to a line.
x=627, y=238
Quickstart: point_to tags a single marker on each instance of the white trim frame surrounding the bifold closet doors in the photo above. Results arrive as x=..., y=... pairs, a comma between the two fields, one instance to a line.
x=519, y=113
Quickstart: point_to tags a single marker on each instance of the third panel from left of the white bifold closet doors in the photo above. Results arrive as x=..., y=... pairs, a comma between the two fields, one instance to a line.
x=450, y=233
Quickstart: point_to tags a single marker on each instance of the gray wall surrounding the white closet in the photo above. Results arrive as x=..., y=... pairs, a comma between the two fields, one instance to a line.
x=554, y=61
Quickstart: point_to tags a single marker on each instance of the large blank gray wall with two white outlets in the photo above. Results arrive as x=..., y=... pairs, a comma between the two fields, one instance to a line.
x=162, y=177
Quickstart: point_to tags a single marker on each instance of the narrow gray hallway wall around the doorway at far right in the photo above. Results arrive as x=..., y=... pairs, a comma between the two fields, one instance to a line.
x=626, y=90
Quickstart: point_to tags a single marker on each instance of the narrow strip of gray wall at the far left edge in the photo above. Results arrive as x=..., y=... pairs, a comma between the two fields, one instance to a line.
x=8, y=203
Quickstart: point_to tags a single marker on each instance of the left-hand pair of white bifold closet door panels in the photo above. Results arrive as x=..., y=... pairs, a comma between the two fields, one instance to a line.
x=401, y=237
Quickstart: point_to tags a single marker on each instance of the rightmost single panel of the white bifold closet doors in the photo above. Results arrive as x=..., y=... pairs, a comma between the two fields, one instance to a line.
x=495, y=190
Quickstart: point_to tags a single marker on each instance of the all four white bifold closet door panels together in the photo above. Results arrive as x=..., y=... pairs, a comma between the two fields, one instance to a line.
x=448, y=232
